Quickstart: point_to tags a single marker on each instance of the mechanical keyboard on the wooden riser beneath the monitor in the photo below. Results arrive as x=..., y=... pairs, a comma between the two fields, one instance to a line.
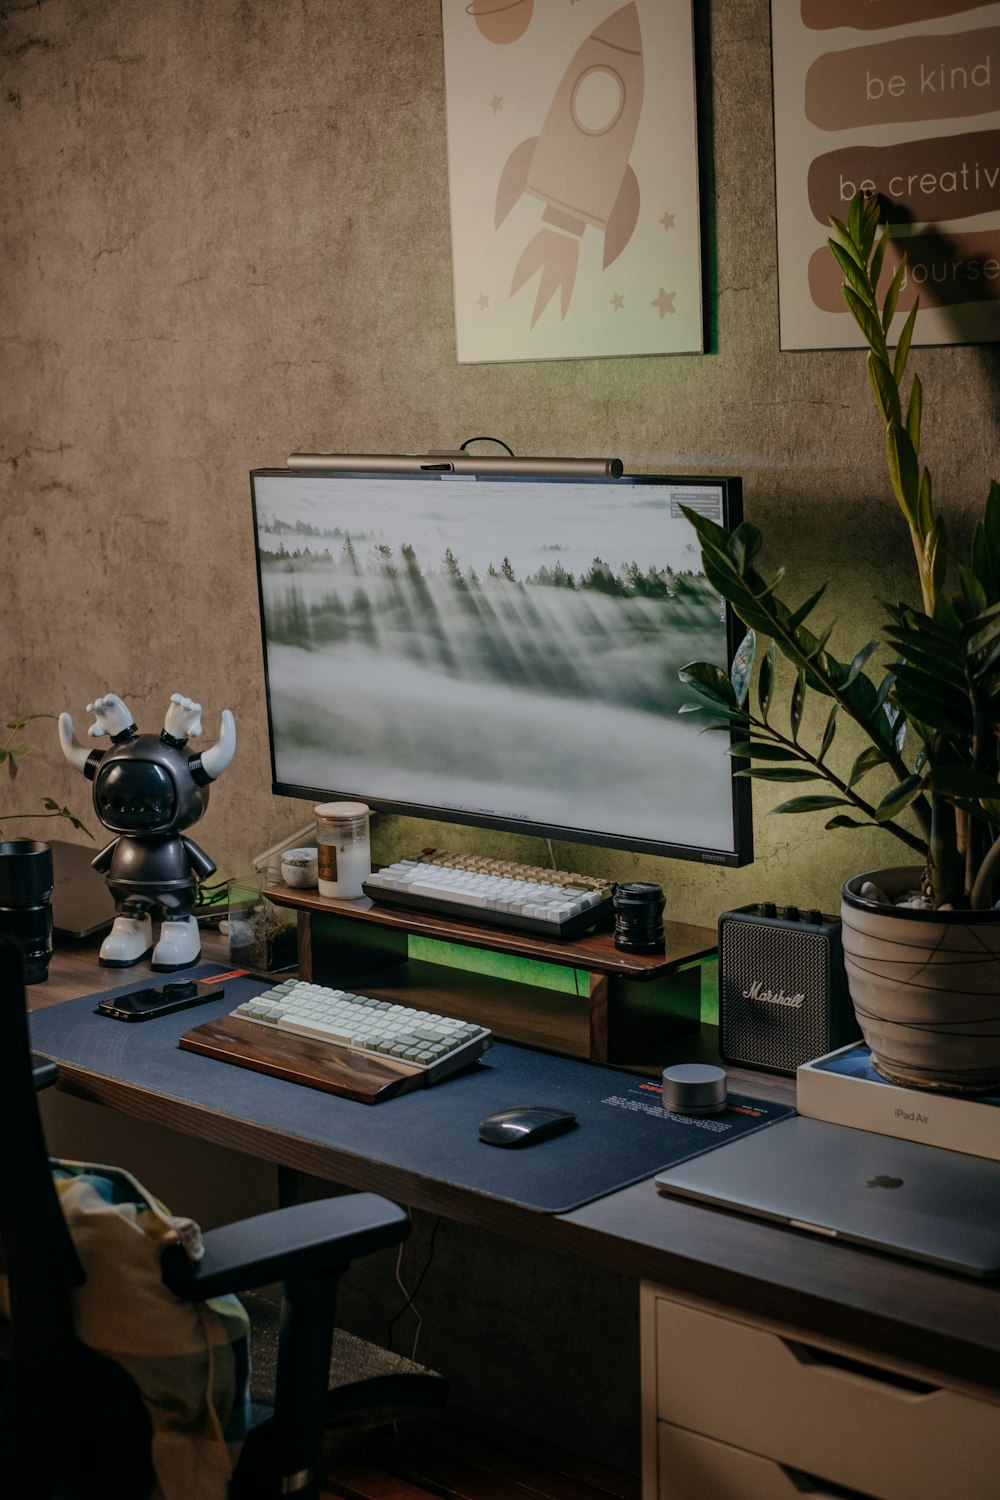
x=501, y=895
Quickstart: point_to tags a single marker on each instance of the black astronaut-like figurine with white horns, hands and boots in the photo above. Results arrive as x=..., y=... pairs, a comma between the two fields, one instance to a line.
x=148, y=790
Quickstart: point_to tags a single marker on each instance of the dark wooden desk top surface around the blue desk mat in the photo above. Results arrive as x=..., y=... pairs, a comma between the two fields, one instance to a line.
x=894, y=1309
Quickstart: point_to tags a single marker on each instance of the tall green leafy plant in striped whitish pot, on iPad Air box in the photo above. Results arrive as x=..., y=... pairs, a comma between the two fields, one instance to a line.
x=921, y=940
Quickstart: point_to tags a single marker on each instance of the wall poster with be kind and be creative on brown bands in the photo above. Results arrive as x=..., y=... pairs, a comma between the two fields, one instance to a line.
x=899, y=98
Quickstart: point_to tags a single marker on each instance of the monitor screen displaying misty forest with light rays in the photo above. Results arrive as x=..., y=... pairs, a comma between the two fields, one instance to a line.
x=500, y=652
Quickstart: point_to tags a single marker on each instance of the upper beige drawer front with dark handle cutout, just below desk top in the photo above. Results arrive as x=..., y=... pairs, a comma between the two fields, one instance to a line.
x=849, y=1421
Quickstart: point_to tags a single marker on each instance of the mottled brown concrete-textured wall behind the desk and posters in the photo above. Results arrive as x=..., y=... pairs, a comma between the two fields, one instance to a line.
x=226, y=238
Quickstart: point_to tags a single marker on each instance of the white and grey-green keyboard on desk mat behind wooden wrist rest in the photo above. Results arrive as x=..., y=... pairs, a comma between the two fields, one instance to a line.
x=359, y=1024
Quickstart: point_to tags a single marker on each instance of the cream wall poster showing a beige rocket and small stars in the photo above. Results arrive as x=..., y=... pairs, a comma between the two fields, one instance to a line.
x=573, y=178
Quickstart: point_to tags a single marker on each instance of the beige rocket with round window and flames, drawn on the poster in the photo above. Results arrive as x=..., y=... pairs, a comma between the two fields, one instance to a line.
x=579, y=163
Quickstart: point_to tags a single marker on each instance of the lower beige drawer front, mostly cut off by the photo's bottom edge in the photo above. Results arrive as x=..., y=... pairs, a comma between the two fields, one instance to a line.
x=695, y=1468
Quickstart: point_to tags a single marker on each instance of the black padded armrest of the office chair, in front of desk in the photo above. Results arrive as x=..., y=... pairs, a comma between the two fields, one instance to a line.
x=316, y=1240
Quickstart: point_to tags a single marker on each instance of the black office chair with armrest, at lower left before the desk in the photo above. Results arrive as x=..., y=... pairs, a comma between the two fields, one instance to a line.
x=62, y=1406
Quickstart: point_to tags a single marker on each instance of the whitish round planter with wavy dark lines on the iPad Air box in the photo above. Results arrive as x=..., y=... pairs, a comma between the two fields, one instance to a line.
x=926, y=988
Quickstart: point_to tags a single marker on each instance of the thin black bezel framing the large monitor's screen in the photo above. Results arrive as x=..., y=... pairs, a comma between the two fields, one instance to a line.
x=347, y=469
